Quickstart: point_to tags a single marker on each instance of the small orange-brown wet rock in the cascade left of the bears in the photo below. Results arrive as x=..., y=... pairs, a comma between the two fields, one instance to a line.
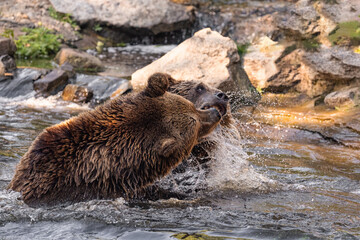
x=77, y=94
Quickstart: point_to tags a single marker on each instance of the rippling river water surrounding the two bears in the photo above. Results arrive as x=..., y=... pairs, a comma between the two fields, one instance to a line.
x=277, y=181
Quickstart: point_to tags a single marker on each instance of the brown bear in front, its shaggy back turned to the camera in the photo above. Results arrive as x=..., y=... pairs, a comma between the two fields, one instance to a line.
x=115, y=150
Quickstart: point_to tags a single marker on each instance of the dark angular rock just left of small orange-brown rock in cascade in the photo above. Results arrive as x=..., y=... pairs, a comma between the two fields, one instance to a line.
x=52, y=83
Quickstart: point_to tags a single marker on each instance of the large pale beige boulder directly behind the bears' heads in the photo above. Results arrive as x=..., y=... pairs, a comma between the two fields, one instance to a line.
x=207, y=57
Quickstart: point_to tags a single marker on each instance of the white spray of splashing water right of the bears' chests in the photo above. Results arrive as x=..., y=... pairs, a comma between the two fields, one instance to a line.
x=231, y=170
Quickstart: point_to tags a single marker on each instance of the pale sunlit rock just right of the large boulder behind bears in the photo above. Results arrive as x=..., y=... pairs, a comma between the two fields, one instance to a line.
x=259, y=62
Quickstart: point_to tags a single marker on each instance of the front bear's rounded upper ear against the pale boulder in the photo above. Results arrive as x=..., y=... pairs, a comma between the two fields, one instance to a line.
x=158, y=83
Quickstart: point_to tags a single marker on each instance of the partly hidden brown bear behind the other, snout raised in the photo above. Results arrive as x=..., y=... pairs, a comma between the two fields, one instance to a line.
x=183, y=180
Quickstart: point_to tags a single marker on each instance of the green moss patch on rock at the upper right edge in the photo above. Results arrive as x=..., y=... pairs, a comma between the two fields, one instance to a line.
x=346, y=33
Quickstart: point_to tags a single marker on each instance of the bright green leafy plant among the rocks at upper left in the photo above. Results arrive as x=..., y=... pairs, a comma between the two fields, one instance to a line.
x=37, y=43
